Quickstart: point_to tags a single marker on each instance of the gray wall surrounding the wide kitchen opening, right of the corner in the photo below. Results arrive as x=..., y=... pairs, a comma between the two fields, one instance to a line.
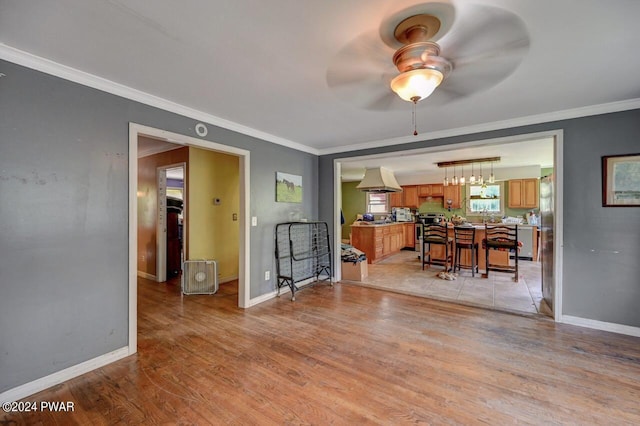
x=601, y=278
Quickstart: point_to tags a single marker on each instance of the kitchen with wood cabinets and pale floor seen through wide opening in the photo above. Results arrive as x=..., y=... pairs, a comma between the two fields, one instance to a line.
x=386, y=223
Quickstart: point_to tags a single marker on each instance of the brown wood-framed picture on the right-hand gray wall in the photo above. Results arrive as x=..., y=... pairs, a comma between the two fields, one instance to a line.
x=621, y=181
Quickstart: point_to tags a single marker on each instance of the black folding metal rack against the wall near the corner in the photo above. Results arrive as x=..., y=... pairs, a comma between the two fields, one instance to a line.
x=302, y=252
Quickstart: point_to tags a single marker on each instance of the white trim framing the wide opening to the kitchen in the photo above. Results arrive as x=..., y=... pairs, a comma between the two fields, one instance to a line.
x=554, y=278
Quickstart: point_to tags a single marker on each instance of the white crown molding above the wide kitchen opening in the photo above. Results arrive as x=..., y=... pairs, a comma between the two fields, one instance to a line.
x=625, y=105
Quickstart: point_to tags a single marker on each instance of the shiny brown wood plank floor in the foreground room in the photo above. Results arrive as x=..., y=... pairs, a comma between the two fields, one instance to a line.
x=351, y=355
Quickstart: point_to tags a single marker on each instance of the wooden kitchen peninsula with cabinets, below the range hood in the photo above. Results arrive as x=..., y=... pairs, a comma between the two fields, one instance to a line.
x=378, y=240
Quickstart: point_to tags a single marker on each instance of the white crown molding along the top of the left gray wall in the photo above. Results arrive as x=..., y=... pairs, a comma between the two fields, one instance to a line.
x=50, y=67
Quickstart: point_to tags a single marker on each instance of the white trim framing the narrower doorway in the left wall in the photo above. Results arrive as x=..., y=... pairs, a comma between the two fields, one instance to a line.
x=244, y=276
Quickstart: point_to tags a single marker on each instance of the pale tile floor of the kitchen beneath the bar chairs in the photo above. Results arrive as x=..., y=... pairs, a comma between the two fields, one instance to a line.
x=403, y=273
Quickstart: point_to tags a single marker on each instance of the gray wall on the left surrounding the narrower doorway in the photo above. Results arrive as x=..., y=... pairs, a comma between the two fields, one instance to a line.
x=64, y=217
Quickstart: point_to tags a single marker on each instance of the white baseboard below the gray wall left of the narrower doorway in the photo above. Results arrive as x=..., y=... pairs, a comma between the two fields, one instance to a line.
x=58, y=377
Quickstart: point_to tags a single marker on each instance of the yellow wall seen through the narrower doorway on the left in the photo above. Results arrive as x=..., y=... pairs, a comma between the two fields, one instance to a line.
x=212, y=232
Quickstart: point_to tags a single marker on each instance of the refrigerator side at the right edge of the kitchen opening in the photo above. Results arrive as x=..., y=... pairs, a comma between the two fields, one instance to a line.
x=547, y=238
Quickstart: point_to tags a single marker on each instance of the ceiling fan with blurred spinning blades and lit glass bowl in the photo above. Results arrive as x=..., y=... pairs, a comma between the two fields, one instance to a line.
x=440, y=52
